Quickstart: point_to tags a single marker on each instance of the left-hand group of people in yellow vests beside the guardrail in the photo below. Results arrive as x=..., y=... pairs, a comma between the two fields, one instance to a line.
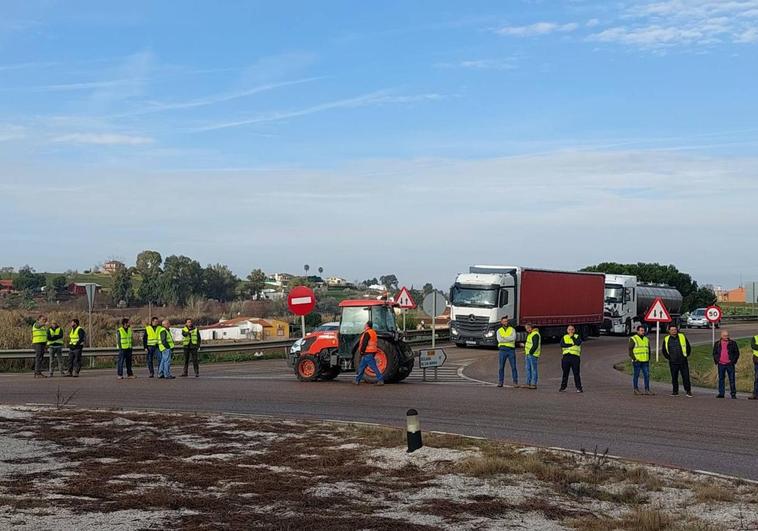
x=157, y=341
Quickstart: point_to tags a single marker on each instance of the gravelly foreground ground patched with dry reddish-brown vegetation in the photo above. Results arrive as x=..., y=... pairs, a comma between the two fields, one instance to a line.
x=83, y=469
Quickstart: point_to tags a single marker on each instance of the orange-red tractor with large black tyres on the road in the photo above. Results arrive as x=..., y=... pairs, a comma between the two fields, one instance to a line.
x=325, y=356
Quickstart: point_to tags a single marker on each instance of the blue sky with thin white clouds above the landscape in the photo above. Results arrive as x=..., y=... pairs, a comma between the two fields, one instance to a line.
x=407, y=137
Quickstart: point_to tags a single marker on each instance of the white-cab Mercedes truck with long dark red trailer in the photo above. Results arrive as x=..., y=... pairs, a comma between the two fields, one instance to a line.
x=550, y=300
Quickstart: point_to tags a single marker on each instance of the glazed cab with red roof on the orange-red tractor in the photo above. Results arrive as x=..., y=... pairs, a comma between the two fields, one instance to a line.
x=355, y=315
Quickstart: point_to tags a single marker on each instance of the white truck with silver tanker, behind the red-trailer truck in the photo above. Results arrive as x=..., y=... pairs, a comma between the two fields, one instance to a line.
x=627, y=301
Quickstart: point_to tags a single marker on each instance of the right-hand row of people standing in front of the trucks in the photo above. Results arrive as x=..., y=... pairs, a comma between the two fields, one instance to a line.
x=676, y=349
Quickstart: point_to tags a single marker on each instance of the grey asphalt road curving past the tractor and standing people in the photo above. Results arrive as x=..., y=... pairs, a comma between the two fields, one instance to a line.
x=700, y=433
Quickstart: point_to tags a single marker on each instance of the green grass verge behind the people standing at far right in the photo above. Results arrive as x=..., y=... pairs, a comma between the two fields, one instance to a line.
x=702, y=369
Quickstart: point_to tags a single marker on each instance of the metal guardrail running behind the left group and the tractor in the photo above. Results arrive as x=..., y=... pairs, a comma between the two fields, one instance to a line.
x=413, y=337
